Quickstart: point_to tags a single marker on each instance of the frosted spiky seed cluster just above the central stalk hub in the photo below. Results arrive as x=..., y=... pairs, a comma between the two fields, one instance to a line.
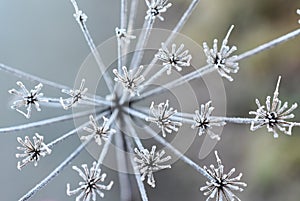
x=130, y=80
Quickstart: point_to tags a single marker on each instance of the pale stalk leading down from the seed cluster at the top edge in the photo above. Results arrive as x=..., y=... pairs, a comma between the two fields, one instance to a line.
x=143, y=39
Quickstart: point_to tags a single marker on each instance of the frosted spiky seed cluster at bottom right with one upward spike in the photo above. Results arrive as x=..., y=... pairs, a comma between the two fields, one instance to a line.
x=221, y=187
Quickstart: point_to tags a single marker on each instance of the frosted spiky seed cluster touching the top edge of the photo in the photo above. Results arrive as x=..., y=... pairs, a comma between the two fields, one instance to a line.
x=156, y=7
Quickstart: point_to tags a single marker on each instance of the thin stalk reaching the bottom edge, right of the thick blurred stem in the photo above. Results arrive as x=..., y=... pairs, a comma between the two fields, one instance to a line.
x=137, y=174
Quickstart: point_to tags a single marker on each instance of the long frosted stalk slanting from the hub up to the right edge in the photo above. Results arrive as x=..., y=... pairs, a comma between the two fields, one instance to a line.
x=210, y=68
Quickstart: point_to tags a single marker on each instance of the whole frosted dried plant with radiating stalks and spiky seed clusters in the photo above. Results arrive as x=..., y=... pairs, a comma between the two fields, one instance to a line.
x=119, y=106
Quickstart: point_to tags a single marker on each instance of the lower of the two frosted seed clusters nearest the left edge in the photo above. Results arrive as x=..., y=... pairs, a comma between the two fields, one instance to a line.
x=33, y=151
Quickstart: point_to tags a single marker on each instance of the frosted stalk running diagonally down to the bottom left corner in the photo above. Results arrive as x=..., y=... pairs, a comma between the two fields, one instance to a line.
x=55, y=172
